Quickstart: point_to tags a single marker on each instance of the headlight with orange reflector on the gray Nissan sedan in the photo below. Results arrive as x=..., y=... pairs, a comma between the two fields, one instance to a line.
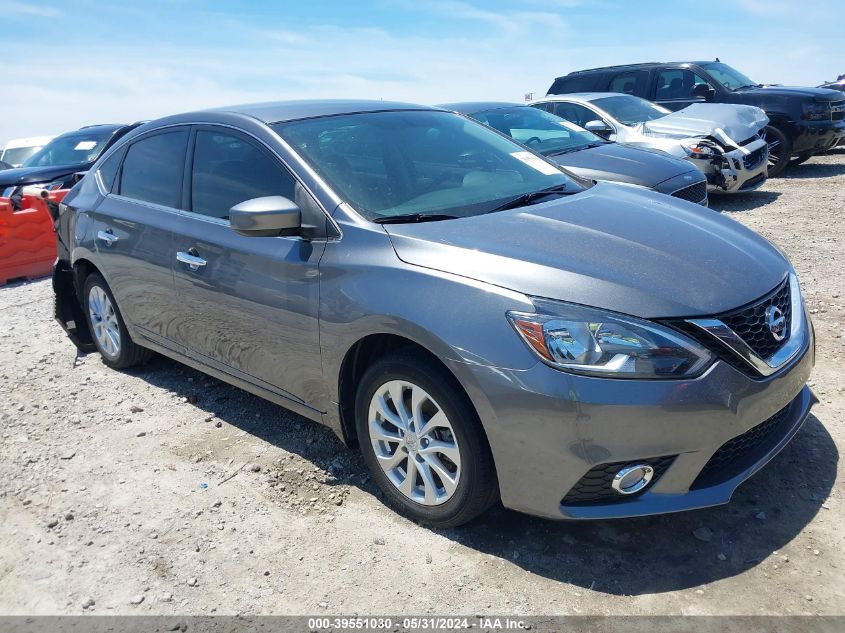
x=598, y=343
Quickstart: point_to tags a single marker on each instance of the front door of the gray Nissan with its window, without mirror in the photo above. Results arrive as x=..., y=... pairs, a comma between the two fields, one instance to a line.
x=246, y=305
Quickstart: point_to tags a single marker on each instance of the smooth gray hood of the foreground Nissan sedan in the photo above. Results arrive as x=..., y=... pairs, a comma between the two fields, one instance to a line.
x=624, y=249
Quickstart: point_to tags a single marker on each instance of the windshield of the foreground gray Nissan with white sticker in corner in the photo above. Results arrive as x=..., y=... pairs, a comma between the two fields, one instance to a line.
x=388, y=164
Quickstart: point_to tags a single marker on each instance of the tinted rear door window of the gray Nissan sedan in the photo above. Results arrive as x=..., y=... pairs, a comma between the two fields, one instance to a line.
x=153, y=168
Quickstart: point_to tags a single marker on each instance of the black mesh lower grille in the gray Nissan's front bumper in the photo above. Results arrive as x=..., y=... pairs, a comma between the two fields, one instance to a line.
x=737, y=454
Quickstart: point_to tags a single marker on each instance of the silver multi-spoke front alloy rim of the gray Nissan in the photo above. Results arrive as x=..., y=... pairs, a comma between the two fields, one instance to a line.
x=414, y=442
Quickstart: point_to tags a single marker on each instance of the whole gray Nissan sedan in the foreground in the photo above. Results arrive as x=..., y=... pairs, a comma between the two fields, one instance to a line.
x=481, y=323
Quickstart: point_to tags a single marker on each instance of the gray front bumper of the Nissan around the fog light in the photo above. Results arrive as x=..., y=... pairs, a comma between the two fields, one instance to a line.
x=547, y=429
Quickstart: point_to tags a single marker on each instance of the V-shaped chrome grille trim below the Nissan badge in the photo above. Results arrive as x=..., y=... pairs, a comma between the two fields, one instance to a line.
x=795, y=343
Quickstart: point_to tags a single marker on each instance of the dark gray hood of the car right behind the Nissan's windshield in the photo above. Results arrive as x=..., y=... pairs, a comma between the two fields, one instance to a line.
x=619, y=163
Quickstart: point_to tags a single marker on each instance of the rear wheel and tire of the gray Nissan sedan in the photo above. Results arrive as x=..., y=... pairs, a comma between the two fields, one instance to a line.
x=108, y=329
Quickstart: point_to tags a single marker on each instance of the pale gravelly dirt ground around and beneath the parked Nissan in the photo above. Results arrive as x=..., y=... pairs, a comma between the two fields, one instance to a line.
x=162, y=491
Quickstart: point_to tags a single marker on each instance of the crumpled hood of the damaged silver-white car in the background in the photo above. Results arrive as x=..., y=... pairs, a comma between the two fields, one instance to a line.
x=737, y=122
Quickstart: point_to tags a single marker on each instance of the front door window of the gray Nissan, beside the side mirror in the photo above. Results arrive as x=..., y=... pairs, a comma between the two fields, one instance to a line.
x=228, y=170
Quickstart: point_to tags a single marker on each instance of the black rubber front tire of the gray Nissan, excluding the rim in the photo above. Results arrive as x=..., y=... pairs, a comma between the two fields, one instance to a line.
x=472, y=492
